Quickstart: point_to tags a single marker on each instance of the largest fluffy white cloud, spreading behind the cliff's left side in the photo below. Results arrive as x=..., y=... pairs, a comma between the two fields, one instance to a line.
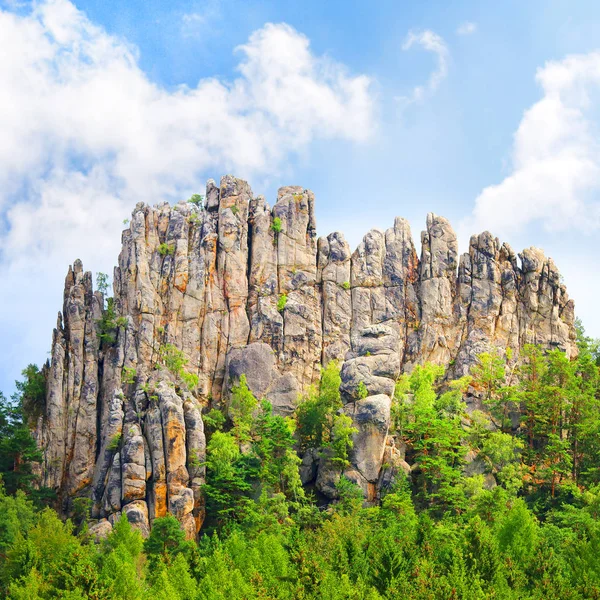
x=86, y=134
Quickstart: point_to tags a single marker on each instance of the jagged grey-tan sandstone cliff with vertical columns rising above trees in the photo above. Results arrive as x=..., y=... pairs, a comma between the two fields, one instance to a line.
x=240, y=288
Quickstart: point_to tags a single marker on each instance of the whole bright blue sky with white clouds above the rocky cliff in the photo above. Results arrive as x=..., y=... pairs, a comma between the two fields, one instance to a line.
x=486, y=113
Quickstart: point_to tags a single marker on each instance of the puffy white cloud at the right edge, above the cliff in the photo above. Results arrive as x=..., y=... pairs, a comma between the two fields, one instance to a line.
x=555, y=176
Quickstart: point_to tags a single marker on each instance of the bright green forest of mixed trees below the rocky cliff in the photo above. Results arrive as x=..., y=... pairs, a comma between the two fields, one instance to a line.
x=501, y=501
